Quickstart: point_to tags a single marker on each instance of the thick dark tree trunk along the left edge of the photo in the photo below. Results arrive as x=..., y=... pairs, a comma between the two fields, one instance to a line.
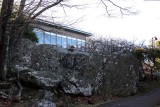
x=6, y=12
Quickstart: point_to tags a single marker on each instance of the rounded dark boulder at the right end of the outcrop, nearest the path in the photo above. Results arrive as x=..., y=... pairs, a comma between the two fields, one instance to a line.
x=121, y=74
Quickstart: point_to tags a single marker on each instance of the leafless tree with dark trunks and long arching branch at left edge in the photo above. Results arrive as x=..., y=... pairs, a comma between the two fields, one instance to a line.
x=27, y=12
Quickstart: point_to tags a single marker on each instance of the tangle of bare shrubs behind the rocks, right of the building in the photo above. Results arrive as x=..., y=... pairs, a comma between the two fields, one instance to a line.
x=108, y=45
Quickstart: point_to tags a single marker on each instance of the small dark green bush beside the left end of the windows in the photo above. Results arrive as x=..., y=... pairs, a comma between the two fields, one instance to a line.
x=29, y=34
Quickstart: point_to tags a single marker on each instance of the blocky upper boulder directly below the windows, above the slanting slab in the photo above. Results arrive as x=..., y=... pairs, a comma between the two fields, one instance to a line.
x=49, y=58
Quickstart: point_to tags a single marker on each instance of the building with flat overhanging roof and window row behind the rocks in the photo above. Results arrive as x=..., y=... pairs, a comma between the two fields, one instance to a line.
x=55, y=34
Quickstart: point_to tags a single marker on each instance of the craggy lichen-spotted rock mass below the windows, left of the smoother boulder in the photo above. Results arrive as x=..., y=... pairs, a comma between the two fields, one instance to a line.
x=50, y=67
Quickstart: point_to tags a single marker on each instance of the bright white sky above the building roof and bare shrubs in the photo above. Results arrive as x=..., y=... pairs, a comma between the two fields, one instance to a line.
x=92, y=17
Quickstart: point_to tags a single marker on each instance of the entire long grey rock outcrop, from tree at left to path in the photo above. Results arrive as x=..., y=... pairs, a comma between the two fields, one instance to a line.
x=80, y=73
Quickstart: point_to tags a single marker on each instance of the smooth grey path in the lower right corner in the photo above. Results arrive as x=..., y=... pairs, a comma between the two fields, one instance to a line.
x=149, y=99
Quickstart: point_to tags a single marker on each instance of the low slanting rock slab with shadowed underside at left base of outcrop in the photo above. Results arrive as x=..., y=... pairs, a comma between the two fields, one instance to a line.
x=41, y=79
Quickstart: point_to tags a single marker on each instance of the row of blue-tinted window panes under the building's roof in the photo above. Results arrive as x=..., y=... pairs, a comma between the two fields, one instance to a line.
x=60, y=40
